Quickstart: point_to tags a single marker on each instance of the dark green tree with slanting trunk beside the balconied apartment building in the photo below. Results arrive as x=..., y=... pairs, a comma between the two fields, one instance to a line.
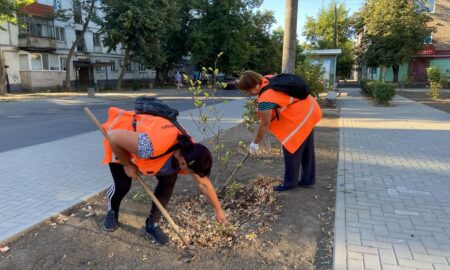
x=141, y=27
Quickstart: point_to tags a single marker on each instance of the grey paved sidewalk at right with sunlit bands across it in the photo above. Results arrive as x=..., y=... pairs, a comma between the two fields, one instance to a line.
x=393, y=194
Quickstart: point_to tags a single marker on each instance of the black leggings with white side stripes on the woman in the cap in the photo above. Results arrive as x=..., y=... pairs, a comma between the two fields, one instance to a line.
x=122, y=184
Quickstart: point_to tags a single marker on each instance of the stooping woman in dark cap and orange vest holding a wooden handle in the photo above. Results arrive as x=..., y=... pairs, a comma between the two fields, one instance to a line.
x=152, y=145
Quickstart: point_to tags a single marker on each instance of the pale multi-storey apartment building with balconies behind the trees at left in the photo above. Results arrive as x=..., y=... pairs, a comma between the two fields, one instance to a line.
x=36, y=49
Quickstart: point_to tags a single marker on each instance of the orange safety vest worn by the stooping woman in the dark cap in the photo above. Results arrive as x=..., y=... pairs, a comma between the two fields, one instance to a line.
x=161, y=132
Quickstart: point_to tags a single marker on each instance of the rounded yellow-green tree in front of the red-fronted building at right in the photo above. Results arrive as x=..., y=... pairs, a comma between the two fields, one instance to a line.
x=392, y=32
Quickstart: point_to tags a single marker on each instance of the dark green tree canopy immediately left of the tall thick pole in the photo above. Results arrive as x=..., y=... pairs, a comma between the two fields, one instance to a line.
x=229, y=27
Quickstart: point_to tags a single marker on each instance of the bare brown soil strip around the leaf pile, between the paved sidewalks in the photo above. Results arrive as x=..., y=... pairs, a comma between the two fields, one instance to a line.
x=300, y=238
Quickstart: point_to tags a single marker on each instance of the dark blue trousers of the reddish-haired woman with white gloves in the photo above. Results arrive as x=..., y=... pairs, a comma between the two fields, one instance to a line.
x=304, y=158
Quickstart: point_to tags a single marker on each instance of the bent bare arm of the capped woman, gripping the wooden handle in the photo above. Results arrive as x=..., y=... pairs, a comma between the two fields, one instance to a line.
x=123, y=143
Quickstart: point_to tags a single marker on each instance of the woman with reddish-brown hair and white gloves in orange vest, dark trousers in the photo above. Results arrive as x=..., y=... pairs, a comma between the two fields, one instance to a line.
x=292, y=122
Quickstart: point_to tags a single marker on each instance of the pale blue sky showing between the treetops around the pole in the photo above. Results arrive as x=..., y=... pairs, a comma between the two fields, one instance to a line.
x=305, y=8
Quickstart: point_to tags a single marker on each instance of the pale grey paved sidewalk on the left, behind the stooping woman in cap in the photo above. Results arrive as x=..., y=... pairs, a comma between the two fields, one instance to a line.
x=40, y=181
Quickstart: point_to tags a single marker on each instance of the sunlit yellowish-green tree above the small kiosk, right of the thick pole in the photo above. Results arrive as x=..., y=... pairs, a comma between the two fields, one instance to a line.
x=319, y=32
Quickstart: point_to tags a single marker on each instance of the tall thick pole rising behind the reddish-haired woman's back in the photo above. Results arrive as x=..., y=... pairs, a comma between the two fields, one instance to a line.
x=290, y=37
